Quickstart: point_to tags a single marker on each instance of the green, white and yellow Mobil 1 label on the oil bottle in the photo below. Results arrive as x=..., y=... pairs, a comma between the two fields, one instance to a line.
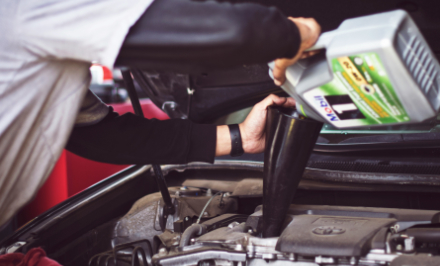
x=359, y=94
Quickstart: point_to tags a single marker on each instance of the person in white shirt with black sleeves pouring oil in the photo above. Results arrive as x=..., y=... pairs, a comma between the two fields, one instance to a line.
x=48, y=46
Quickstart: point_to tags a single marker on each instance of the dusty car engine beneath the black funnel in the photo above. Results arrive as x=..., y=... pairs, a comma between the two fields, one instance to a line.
x=207, y=229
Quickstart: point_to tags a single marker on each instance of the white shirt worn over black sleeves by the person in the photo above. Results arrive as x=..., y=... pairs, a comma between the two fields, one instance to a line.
x=46, y=48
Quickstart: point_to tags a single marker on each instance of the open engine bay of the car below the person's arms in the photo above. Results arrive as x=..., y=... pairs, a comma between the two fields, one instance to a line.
x=330, y=222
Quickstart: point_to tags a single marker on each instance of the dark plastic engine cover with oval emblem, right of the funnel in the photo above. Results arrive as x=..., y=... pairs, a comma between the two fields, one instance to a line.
x=330, y=235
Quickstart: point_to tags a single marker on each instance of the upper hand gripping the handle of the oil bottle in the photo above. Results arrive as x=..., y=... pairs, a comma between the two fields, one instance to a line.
x=309, y=30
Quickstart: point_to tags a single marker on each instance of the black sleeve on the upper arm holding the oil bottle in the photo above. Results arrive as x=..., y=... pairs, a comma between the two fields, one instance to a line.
x=181, y=34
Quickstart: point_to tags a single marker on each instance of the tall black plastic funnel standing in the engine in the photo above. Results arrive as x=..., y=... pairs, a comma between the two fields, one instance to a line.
x=290, y=138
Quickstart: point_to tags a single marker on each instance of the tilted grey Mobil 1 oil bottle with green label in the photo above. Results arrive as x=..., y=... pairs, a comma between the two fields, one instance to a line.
x=374, y=70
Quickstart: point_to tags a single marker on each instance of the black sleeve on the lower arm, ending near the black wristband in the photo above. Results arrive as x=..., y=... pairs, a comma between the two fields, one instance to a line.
x=131, y=139
